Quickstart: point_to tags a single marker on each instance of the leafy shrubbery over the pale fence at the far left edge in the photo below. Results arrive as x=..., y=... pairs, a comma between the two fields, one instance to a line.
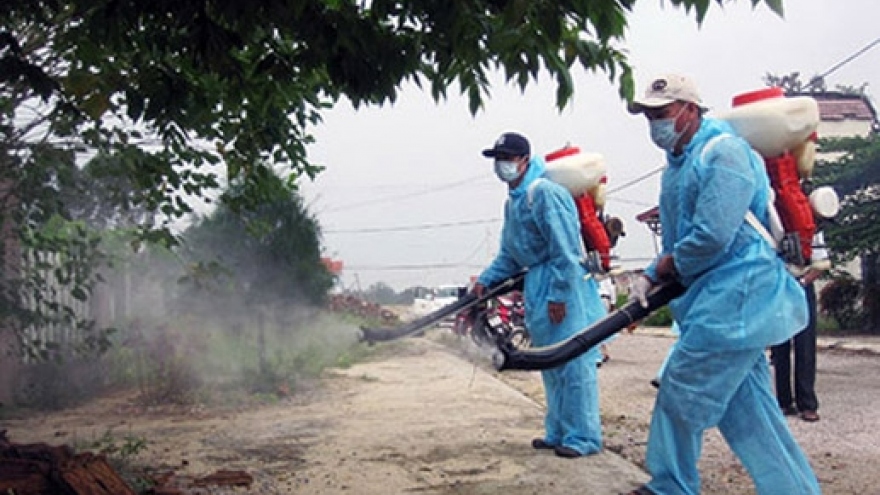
x=49, y=257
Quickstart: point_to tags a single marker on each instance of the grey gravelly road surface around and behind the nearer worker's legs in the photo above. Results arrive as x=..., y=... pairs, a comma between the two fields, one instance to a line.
x=840, y=447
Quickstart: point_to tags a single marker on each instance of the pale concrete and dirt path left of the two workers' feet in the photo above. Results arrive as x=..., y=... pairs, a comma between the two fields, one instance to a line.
x=422, y=420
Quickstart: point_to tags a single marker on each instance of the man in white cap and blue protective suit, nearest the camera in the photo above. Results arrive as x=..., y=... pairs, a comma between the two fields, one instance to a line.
x=739, y=301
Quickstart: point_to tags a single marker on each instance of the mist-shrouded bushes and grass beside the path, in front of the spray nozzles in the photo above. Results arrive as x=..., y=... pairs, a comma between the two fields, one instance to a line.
x=233, y=313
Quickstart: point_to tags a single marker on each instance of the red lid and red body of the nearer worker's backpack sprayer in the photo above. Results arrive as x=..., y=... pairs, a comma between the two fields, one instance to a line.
x=791, y=202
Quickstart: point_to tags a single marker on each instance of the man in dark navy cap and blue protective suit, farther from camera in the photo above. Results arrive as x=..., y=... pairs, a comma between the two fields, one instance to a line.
x=541, y=234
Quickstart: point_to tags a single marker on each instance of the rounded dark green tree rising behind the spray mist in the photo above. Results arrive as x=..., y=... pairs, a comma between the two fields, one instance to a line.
x=269, y=256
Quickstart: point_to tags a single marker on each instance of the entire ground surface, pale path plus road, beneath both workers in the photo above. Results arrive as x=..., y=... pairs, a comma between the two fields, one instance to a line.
x=429, y=416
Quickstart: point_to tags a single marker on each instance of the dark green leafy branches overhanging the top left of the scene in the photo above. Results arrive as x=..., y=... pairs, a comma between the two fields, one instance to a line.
x=166, y=98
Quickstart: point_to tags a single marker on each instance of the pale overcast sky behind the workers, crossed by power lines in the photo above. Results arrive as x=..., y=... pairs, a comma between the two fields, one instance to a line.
x=407, y=199
